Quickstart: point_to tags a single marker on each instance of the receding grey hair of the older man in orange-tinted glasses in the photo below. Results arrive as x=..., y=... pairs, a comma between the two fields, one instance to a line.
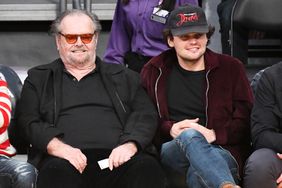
x=55, y=26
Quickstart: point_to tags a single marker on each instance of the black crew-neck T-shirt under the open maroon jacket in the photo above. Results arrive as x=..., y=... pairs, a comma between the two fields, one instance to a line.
x=186, y=94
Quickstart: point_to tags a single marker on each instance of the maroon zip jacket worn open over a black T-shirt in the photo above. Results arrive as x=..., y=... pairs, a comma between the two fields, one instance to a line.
x=228, y=99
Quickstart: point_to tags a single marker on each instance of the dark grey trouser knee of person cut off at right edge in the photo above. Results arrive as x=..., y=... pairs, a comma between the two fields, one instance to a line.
x=262, y=169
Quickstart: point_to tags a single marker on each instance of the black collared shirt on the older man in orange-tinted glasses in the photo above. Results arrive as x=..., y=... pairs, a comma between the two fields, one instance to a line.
x=87, y=116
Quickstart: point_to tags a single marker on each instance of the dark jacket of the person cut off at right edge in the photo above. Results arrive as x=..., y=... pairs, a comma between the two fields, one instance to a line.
x=267, y=111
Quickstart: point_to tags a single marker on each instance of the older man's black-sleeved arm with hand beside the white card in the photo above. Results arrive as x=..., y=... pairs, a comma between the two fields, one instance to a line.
x=139, y=128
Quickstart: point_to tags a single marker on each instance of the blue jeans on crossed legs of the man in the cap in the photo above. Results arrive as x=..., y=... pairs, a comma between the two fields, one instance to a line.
x=204, y=165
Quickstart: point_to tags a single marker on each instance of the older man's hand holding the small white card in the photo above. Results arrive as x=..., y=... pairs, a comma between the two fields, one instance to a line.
x=121, y=154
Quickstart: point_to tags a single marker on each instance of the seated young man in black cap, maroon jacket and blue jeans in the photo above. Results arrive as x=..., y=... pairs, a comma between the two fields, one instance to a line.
x=204, y=102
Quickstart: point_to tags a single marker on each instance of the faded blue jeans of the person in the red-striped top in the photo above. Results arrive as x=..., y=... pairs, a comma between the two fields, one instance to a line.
x=20, y=174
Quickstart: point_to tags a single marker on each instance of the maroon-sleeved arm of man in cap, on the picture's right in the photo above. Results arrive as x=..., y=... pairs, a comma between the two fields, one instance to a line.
x=236, y=128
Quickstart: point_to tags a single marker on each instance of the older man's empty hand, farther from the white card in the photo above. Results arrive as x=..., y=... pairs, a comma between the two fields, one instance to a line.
x=74, y=155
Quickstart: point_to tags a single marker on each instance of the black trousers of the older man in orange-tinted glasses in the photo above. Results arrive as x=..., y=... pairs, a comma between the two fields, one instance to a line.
x=142, y=171
